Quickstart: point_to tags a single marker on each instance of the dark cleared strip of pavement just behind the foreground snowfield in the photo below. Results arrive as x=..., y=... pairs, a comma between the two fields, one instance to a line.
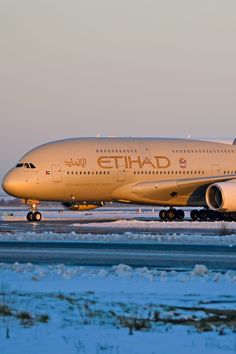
x=180, y=257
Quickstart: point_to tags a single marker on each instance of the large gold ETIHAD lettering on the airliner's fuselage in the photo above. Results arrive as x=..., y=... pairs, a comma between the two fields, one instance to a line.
x=129, y=162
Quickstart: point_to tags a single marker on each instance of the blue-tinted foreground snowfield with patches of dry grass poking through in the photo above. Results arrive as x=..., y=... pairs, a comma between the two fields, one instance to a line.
x=116, y=310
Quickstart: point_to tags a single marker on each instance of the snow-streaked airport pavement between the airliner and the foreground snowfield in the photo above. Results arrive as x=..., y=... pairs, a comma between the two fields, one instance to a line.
x=116, y=236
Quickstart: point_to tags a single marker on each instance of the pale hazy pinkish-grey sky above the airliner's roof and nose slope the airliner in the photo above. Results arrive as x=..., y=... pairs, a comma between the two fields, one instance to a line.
x=115, y=68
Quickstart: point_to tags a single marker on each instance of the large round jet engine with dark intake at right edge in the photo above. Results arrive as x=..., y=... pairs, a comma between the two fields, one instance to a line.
x=222, y=196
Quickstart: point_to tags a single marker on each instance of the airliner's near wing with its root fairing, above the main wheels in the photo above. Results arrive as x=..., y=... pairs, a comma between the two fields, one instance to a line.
x=165, y=192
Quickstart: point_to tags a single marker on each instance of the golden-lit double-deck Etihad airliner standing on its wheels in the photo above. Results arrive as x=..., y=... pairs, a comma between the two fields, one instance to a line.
x=84, y=173
